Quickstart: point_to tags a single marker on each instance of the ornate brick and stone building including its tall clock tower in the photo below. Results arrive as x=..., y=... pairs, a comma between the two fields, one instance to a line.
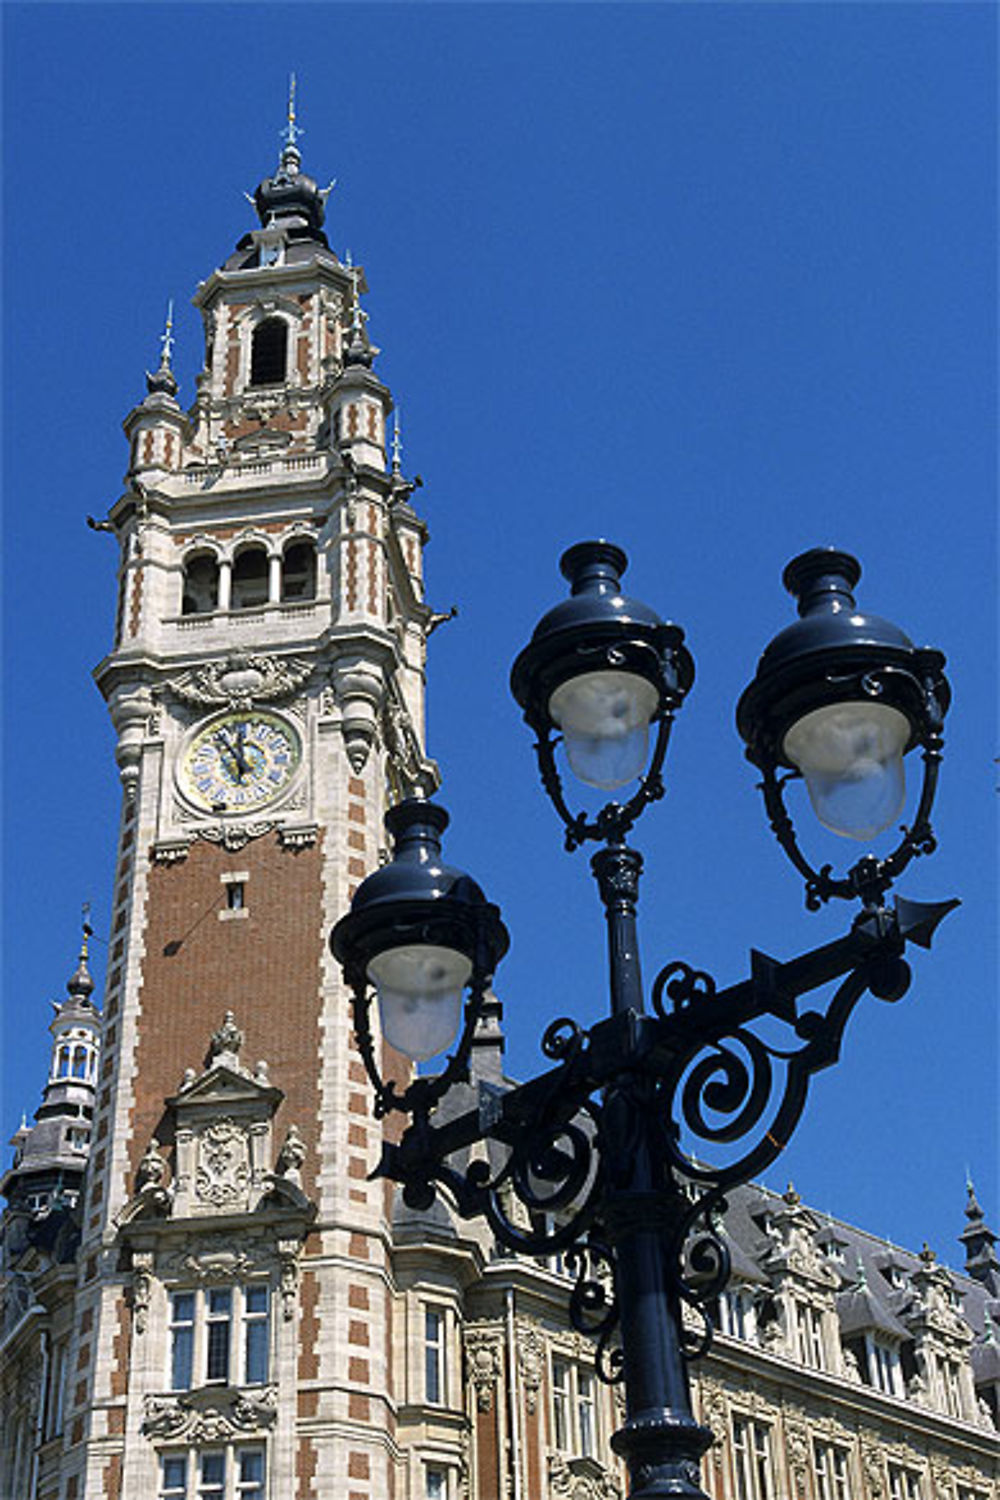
x=206, y=1297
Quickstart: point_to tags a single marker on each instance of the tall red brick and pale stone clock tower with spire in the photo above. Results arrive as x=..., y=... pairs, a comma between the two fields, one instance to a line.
x=266, y=686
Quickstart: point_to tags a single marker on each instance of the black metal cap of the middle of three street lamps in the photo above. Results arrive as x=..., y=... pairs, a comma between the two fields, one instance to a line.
x=596, y=629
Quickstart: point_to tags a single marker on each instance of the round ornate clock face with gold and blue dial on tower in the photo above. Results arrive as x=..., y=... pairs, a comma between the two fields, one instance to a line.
x=241, y=761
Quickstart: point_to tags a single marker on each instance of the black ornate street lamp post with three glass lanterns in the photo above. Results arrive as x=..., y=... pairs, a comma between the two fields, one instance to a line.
x=839, y=698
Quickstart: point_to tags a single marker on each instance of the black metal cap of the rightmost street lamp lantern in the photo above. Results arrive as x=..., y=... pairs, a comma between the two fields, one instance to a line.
x=834, y=653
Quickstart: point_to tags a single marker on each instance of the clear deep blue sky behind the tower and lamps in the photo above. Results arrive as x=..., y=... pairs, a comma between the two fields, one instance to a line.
x=714, y=281
